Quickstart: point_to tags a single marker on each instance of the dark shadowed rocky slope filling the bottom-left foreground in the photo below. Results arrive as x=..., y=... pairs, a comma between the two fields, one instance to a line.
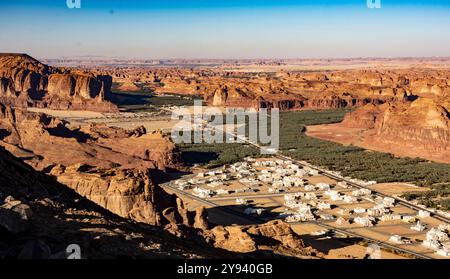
x=40, y=218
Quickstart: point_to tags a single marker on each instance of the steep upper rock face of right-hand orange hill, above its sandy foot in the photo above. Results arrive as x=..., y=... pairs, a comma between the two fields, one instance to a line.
x=423, y=123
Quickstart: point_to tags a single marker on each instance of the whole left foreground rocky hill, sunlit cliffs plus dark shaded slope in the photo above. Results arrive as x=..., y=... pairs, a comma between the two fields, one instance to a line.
x=118, y=170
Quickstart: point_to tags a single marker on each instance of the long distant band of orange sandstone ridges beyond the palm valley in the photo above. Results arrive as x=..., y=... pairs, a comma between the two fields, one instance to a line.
x=289, y=90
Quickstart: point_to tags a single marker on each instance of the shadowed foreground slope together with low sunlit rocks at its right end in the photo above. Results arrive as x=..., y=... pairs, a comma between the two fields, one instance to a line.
x=40, y=218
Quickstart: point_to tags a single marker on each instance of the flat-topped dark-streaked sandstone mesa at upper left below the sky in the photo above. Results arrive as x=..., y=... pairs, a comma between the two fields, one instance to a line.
x=25, y=82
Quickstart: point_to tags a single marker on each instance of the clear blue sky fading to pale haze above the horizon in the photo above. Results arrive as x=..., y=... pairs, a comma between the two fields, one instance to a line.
x=226, y=29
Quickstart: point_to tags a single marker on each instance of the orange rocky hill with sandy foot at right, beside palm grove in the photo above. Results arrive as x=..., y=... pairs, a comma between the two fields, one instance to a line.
x=419, y=128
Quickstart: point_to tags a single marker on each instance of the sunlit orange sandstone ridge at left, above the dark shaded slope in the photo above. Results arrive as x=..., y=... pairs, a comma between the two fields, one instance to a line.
x=119, y=170
